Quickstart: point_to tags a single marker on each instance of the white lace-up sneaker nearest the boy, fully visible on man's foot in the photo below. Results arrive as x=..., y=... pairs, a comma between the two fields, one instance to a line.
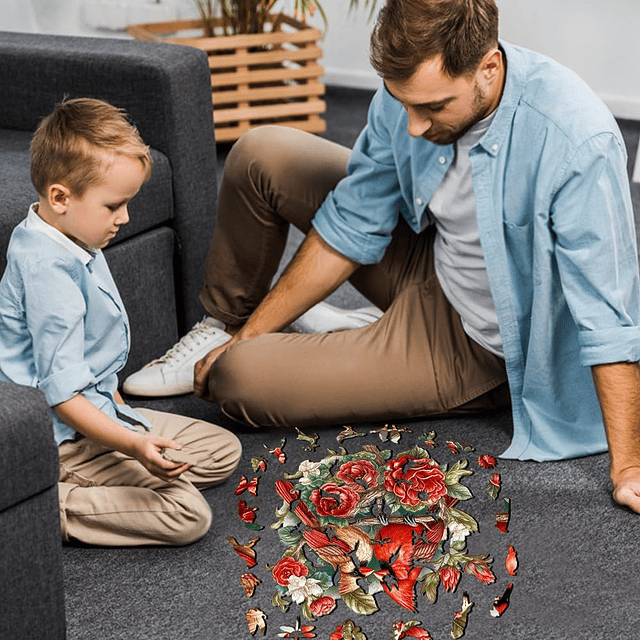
x=172, y=374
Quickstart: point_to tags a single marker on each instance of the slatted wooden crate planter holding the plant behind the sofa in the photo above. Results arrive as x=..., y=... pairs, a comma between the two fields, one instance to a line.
x=266, y=78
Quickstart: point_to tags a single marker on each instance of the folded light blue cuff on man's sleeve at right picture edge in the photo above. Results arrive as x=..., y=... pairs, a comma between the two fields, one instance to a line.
x=609, y=345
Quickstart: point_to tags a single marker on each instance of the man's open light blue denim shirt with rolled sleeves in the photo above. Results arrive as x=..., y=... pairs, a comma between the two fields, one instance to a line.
x=557, y=232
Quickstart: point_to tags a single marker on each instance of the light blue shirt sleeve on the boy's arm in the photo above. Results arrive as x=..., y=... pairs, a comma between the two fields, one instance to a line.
x=55, y=311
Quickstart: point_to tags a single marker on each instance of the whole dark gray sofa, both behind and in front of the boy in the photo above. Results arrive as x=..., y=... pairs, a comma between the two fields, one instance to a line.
x=157, y=263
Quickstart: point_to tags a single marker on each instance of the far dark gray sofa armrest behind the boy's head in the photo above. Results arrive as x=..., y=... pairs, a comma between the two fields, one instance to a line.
x=166, y=90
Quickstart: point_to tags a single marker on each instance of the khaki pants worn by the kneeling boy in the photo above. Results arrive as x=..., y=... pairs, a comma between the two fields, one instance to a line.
x=107, y=498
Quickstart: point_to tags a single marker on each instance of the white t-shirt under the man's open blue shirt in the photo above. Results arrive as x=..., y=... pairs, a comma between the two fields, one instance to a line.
x=459, y=261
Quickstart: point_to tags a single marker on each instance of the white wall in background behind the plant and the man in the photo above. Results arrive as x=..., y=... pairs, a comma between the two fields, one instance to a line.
x=599, y=39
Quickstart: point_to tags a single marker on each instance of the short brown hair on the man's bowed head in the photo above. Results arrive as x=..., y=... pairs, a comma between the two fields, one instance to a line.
x=409, y=32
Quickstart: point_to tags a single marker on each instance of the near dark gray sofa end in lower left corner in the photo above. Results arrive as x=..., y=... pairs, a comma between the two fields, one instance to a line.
x=31, y=588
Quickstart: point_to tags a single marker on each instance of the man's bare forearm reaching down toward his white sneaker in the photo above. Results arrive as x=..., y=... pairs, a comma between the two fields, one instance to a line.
x=315, y=271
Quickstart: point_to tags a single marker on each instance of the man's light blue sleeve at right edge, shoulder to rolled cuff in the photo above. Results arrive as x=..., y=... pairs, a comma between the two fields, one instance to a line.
x=596, y=252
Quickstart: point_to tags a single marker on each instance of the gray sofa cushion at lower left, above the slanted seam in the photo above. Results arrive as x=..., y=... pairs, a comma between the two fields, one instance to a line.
x=29, y=455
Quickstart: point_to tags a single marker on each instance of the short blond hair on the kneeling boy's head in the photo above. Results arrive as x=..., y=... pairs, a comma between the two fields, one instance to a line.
x=70, y=144
